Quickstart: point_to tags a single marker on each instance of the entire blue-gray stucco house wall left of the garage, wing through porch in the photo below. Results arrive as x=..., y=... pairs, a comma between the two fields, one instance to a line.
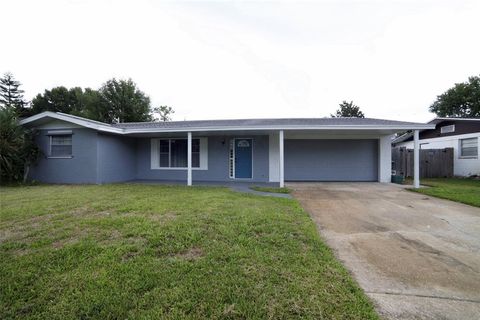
x=102, y=158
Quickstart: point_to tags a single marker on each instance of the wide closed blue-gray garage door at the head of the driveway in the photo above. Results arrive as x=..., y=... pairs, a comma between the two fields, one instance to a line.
x=331, y=160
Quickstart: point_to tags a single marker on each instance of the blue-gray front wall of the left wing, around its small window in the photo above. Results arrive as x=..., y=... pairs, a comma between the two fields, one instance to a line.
x=81, y=168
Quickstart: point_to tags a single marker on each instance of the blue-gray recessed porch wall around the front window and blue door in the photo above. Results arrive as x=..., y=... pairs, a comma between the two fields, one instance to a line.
x=218, y=148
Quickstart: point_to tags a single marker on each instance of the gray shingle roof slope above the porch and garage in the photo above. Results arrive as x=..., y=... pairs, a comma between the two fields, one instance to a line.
x=264, y=123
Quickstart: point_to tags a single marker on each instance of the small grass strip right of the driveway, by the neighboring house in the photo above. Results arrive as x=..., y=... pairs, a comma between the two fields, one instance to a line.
x=456, y=189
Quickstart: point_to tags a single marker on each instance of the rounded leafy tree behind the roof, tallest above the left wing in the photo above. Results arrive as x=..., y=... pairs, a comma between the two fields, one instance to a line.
x=124, y=102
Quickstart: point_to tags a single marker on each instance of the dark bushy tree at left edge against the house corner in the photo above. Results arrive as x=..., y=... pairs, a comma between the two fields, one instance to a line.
x=18, y=150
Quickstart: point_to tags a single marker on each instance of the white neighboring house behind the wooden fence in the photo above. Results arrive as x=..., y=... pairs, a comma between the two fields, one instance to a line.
x=461, y=134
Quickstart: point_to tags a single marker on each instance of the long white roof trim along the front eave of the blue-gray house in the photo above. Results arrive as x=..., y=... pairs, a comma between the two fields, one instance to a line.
x=100, y=126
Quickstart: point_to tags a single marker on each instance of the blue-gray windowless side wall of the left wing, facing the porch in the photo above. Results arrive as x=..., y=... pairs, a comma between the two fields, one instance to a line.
x=116, y=158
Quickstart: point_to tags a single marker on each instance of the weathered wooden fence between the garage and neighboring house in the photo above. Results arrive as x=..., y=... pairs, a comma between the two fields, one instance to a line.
x=434, y=163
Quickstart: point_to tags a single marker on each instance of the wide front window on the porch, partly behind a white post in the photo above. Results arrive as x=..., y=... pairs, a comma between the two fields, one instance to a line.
x=173, y=153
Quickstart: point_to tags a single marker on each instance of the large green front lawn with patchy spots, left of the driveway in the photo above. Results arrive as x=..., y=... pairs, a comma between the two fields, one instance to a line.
x=150, y=252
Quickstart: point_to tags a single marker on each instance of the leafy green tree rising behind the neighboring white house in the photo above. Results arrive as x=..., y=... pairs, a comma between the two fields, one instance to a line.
x=462, y=100
